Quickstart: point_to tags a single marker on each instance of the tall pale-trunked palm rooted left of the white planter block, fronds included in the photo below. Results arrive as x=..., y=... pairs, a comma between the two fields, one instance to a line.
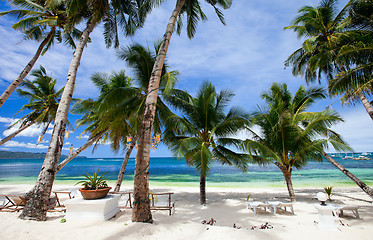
x=94, y=11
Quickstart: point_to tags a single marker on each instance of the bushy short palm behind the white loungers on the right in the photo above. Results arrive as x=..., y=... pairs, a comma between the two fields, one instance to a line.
x=289, y=135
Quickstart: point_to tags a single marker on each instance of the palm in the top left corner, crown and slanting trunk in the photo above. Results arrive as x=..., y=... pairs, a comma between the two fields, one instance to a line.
x=42, y=21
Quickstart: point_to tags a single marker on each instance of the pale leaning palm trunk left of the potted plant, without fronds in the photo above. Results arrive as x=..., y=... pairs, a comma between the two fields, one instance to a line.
x=37, y=198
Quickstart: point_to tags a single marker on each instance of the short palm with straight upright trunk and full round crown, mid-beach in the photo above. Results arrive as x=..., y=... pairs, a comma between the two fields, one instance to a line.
x=204, y=133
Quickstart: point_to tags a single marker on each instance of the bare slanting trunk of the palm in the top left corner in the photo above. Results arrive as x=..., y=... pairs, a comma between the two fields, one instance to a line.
x=26, y=70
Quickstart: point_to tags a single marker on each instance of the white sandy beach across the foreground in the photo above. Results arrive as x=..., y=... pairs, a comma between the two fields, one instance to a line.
x=226, y=206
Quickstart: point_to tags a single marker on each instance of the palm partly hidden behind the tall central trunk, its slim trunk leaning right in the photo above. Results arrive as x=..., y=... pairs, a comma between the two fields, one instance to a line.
x=141, y=60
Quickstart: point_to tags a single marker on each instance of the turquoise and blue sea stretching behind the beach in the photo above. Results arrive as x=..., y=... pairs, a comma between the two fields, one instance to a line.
x=174, y=172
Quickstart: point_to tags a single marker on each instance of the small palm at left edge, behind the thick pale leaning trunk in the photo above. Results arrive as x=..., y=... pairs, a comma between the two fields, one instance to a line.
x=43, y=102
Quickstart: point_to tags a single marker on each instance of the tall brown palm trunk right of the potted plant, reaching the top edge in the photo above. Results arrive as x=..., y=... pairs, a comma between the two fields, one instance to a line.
x=141, y=208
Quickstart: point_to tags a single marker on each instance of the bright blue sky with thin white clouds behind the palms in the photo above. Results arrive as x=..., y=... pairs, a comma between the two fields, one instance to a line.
x=246, y=56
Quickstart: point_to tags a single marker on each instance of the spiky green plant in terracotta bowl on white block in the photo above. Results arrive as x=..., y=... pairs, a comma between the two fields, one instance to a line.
x=94, y=187
